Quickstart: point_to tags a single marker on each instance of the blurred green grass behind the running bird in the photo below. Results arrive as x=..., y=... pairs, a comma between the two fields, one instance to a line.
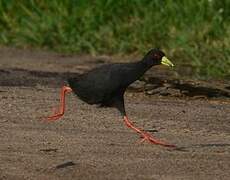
x=193, y=33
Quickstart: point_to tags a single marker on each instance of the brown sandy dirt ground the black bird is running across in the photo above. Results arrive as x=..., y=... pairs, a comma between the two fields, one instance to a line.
x=93, y=143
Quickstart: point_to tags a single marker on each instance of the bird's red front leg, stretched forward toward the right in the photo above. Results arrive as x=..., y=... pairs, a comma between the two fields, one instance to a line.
x=145, y=135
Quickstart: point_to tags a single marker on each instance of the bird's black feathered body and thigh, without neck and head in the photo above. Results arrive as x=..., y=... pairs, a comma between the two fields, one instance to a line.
x=106, y=85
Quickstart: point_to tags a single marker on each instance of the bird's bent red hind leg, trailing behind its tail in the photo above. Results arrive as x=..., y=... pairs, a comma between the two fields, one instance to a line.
x=60, y=112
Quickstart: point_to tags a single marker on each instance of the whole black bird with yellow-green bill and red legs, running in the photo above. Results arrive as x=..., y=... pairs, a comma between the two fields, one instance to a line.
x=106, y=86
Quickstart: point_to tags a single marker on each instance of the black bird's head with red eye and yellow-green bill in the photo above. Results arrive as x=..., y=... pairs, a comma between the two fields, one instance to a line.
x=157, y=57
